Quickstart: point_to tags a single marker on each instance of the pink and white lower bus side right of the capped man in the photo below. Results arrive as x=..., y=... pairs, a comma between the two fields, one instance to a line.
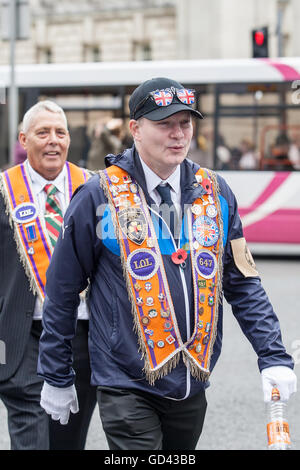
x=269, y=206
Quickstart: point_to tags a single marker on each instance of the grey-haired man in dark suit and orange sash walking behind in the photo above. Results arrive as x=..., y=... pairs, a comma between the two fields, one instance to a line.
x=33, y=198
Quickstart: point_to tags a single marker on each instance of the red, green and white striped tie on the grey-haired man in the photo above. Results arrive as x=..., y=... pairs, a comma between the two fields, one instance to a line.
x=53, y=213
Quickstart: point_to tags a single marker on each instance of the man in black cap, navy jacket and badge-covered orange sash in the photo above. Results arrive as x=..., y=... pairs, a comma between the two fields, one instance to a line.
x=158, y=240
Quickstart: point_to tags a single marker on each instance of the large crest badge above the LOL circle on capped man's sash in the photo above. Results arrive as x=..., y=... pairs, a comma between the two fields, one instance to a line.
x=133, y=223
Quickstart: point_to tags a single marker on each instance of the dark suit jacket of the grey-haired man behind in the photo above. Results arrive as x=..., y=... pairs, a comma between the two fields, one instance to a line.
x=16, y=300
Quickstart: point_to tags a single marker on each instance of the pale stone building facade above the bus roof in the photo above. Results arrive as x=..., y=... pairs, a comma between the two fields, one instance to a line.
x=96, y=30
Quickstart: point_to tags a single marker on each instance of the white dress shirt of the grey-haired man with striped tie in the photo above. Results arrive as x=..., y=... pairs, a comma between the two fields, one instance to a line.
x=37, y=184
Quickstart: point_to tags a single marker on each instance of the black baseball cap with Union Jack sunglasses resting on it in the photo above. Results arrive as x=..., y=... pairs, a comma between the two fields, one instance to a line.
x=140, y=106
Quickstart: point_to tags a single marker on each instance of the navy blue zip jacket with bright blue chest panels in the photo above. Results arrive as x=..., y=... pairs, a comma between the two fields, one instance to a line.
x=87, y=254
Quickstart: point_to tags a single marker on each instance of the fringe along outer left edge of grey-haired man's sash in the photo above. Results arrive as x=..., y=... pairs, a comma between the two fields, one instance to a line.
x=23, y=258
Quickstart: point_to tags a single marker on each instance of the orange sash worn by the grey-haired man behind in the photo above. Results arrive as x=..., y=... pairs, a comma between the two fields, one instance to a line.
x=30, y=231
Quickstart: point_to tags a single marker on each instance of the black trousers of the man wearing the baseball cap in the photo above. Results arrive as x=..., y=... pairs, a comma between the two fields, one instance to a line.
x=133, y=420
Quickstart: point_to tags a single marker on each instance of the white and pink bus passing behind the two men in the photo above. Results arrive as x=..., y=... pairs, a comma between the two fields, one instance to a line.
x=250, y=133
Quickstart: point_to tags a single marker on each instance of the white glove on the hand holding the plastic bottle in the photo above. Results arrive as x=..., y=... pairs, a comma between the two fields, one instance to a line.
x=281, y=377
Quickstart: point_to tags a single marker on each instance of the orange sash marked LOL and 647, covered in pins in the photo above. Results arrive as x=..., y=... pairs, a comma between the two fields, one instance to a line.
x=147, y=284
